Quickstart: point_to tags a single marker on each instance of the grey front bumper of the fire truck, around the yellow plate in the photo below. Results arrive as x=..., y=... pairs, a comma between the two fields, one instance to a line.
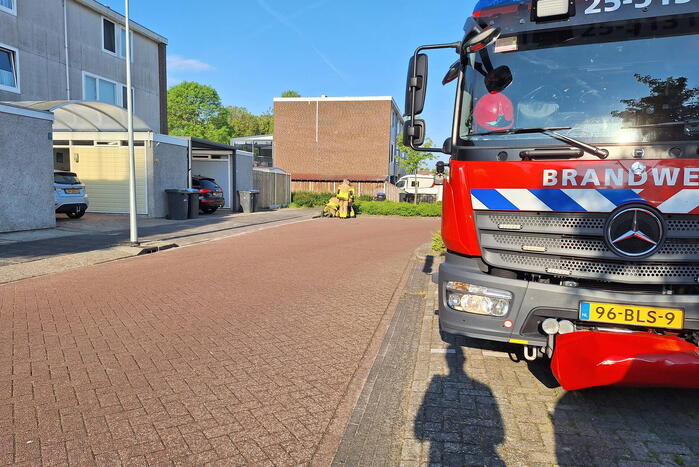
x=476, y=304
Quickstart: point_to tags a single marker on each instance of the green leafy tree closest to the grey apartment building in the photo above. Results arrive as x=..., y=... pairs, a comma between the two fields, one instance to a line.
x=195, y=110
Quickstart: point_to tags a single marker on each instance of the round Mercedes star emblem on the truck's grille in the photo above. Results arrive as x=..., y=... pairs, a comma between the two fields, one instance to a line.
x=635, y=231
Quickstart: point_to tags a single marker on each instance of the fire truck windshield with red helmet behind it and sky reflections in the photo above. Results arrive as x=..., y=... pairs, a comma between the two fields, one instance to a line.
x=609, y=84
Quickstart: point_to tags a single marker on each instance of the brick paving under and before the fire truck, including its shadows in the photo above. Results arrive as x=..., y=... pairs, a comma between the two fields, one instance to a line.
x=470, y=403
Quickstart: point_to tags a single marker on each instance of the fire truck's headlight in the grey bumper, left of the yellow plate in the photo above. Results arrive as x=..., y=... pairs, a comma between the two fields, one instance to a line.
x=478, y=300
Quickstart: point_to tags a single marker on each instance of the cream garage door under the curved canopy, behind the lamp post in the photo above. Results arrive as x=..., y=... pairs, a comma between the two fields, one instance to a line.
x=105, y=173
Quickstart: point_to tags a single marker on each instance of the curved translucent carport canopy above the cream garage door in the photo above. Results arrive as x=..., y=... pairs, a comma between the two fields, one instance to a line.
x=86, y=116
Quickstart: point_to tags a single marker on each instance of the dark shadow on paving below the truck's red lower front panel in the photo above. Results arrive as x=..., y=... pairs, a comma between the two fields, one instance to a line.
x=613, y=426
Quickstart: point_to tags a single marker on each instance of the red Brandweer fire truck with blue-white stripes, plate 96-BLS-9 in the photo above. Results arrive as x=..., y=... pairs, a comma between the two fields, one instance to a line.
x=571, y=205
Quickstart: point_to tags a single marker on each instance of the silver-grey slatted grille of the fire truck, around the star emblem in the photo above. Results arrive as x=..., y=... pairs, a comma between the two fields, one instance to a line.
x=572, y=246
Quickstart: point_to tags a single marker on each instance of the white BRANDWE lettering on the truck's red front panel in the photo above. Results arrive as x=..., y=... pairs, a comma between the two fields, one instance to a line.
x=666, y=176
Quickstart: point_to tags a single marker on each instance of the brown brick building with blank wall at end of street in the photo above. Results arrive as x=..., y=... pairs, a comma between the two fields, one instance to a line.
x=323, y=140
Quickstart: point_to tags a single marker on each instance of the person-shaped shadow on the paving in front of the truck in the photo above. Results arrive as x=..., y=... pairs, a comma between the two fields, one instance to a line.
x=463, y=426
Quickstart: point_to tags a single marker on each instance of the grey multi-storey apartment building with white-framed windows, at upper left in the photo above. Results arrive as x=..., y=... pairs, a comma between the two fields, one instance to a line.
x=76, y=50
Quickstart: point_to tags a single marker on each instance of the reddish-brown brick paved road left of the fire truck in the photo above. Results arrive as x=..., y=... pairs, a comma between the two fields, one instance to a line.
x=238, y=351
